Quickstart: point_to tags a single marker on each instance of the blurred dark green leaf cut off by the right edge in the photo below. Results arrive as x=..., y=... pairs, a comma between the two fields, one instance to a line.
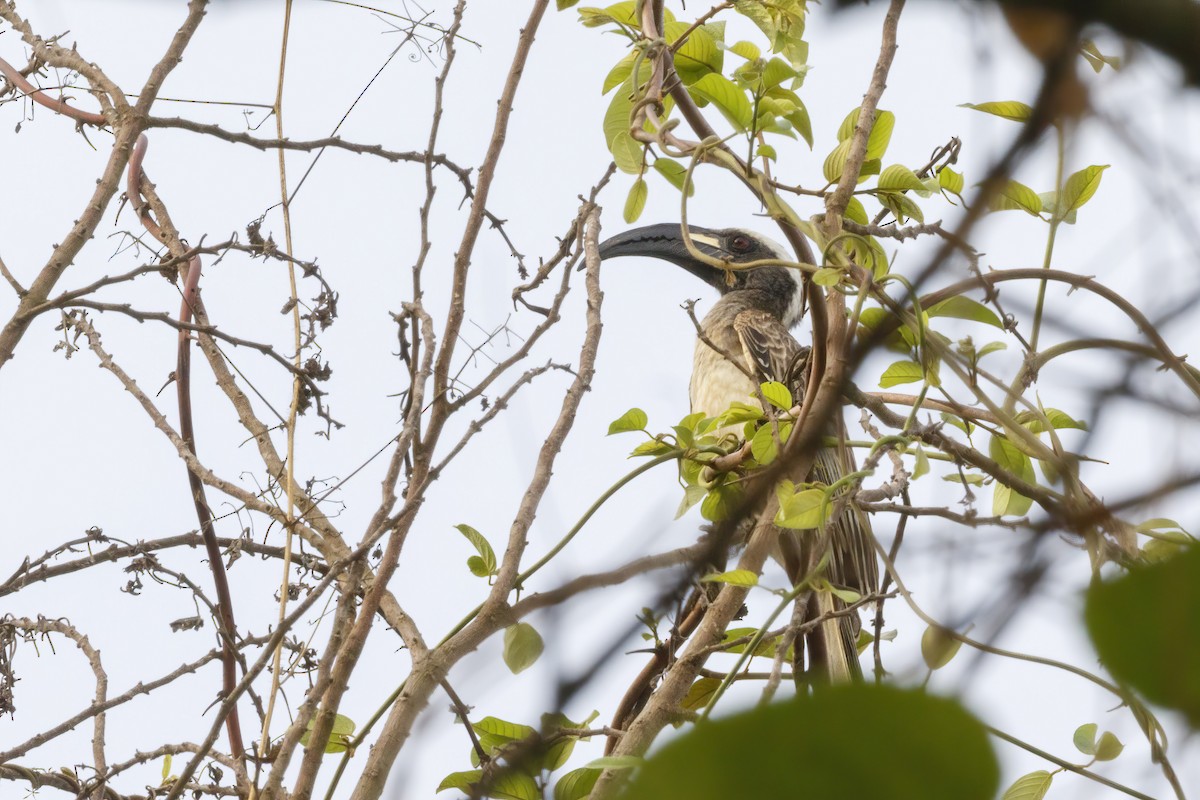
x=1147, y=630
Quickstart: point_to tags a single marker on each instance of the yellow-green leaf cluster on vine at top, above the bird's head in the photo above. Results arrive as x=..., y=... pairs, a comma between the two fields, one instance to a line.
x=759, y=97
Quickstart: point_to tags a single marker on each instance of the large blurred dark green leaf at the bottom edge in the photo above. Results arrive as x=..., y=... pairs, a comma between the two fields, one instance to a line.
x=879, y=741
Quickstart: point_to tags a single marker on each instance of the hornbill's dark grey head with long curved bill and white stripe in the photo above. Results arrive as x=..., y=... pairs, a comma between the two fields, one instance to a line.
x=777, y=290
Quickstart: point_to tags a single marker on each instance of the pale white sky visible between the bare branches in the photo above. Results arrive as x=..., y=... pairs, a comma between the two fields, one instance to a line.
x=79, y=453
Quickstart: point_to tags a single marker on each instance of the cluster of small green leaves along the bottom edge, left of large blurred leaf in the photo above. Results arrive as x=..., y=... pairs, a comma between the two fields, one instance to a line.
x=519, y=761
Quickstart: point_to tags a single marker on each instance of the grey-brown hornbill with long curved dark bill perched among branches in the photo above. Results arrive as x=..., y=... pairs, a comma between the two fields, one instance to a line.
x=751, y=324
